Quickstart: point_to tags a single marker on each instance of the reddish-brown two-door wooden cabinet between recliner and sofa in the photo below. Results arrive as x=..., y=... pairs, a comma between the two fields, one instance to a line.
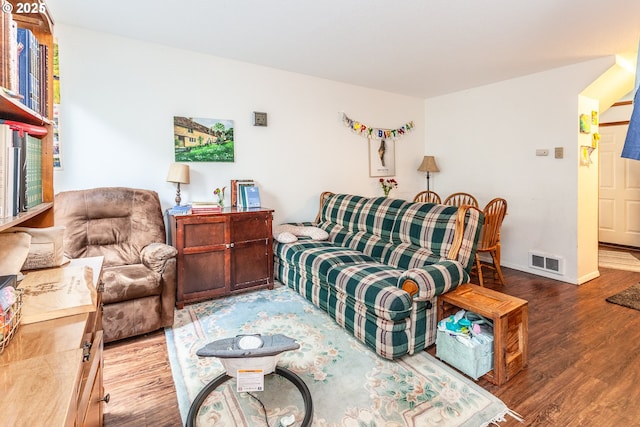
x=222, y=253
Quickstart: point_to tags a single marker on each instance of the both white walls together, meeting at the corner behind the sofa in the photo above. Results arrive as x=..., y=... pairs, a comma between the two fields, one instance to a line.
x=119, y=97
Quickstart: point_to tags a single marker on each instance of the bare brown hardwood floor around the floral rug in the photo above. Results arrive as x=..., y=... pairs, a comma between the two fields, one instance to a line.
x=584, y=361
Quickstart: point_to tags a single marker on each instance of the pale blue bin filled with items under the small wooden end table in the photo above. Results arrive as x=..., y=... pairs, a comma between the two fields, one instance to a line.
x=465, y=341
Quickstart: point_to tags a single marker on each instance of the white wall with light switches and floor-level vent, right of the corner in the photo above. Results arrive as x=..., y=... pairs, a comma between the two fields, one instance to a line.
x=485, y=140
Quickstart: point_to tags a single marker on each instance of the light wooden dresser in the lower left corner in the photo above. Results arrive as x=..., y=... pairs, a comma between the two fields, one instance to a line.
x=51, y=372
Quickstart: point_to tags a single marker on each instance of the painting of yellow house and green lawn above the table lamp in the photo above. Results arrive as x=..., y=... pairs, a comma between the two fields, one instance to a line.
x=203, y=140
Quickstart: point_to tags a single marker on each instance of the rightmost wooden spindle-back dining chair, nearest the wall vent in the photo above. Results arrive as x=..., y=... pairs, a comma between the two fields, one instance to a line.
x=494, y=213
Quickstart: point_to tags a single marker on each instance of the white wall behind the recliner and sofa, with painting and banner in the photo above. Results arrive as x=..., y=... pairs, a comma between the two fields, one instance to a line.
x=119, y=97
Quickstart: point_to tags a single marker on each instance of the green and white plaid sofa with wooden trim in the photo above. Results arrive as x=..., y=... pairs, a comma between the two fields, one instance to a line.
x=383, y=266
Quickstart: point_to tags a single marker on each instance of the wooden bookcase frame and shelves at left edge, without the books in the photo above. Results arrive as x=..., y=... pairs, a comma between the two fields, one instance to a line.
x=40, y=24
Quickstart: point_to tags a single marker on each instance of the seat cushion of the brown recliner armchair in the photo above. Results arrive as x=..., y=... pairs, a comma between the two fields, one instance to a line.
x=129, y=282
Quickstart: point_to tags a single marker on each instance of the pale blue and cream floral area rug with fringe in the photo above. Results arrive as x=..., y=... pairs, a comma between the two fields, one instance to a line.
x=350, y=385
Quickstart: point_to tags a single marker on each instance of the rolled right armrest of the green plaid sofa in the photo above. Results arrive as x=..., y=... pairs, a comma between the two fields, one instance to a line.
x=426, y=282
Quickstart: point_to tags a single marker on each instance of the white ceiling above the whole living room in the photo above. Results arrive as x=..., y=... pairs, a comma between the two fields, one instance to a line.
x=421, y=48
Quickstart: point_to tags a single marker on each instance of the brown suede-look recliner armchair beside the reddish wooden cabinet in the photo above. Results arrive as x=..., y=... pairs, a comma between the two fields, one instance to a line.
x=126, y=227
